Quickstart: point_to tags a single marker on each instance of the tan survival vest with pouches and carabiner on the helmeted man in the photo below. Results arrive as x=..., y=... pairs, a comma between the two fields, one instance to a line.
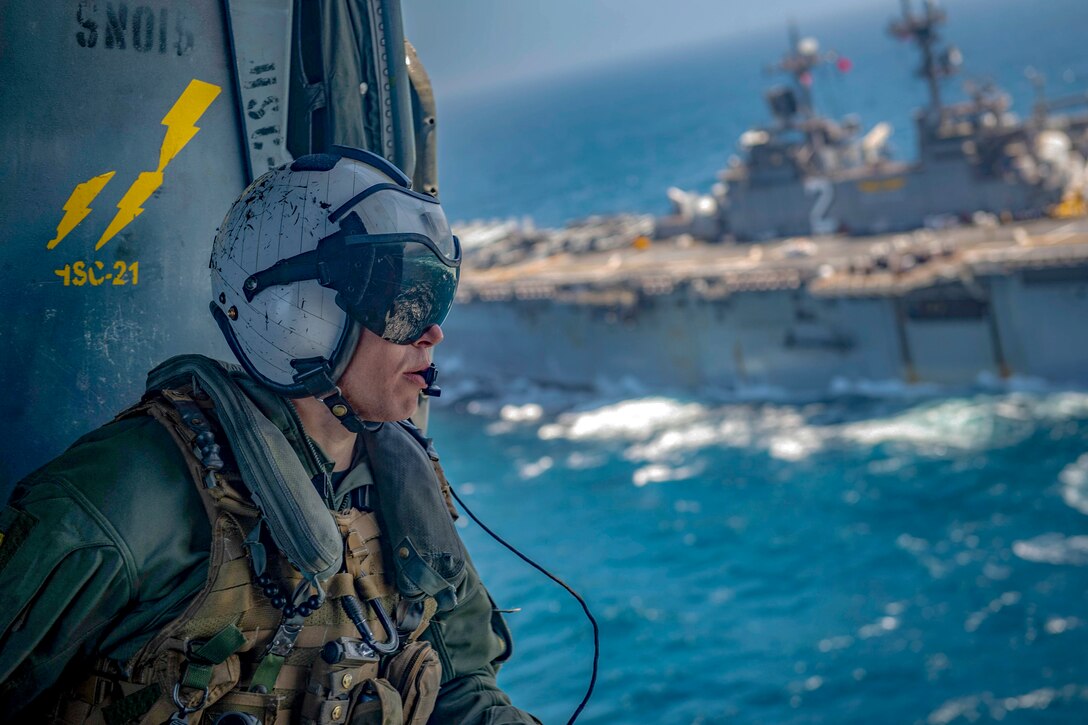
x=256, y=646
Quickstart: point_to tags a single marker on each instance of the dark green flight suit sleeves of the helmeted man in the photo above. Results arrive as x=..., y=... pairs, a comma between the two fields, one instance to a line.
x=108, y=543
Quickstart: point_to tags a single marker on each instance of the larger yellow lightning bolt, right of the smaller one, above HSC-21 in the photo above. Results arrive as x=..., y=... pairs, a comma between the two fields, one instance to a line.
x=181, y=129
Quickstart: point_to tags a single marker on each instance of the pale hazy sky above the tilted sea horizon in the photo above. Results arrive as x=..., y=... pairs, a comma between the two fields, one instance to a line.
x=471, y=45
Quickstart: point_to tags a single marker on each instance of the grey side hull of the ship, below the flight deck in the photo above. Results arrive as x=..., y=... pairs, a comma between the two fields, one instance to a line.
x=992, y=313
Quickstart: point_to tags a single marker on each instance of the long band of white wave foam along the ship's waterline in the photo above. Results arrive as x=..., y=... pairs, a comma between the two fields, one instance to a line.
x=661, y=429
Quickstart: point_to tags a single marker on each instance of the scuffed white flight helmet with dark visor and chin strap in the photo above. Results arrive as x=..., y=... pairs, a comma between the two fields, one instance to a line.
x=313, y=252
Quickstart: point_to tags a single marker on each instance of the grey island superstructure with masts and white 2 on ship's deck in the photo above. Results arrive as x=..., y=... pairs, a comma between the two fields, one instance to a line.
x=807, y=175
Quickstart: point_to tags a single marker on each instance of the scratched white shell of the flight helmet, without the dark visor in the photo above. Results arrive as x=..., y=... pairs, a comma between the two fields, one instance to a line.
x=271, y=315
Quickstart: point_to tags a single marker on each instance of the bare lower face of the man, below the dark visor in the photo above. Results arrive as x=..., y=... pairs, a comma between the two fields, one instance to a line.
x=384, y=380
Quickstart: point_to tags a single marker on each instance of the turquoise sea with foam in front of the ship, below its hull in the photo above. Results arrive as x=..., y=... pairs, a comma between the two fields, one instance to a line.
x=897, y=560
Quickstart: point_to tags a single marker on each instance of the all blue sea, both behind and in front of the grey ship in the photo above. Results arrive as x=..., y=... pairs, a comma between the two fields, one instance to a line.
x=910, y=558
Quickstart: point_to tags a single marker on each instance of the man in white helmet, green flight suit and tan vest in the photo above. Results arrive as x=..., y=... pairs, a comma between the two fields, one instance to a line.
x=271, y=544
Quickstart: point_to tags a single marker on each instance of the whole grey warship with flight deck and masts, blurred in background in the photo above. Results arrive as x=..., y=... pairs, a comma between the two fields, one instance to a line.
x=765, y=286
